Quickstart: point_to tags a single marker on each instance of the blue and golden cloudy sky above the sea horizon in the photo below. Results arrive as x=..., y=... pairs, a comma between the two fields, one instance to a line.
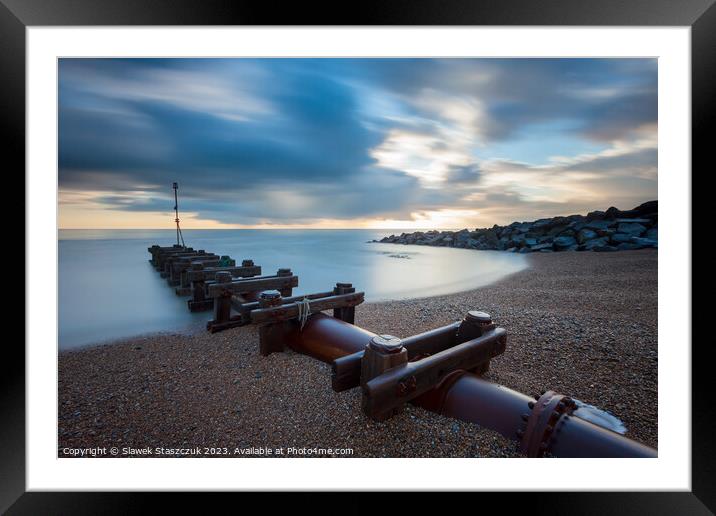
x=352, y=143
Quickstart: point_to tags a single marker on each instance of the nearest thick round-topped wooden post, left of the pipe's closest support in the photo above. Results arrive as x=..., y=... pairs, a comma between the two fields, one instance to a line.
x=382, y=353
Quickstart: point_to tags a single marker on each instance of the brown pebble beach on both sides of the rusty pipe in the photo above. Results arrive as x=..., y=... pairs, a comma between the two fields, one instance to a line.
x=584, y=324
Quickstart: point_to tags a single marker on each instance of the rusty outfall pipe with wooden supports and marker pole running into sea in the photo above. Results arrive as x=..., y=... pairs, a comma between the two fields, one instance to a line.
x=440, y=370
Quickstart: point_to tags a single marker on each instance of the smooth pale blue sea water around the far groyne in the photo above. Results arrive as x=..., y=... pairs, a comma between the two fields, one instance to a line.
x=108, y=289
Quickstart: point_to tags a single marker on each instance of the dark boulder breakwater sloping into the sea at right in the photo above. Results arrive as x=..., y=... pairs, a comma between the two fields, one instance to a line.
x=610, y=230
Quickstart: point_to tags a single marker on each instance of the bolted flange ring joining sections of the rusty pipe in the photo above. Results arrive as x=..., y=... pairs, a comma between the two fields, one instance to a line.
x=547, y=410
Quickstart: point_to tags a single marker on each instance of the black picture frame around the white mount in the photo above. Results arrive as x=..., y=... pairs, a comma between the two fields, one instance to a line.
x=700, y=15
